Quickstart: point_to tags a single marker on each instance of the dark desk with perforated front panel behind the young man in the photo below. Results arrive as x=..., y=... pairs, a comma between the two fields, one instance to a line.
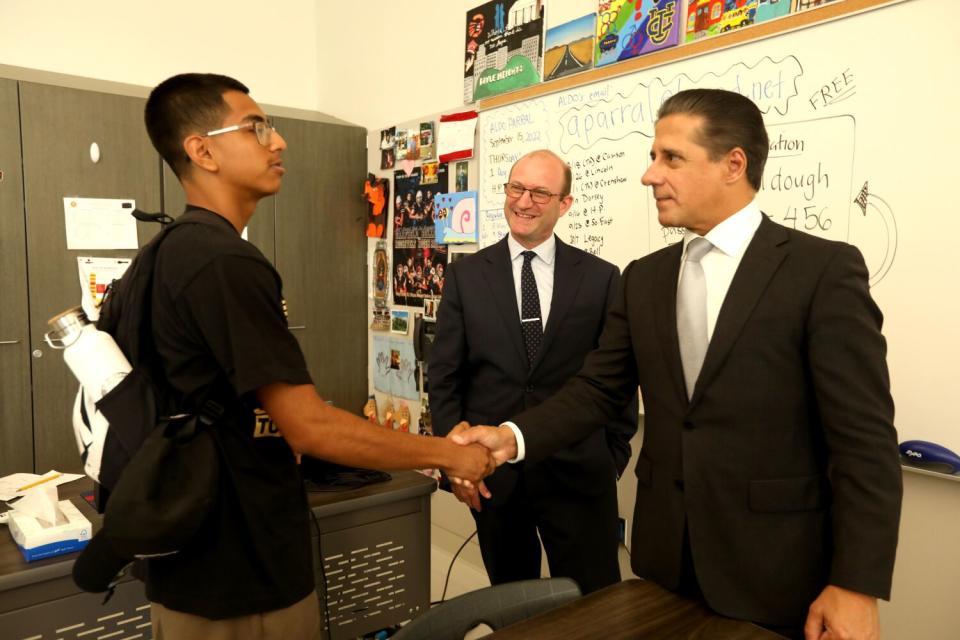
x=387, y=522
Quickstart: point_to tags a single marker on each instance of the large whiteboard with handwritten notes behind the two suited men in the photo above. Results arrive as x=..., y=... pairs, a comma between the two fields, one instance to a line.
x=862, y=119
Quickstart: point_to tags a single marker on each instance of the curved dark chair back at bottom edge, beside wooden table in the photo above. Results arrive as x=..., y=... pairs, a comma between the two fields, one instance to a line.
x=496, y=606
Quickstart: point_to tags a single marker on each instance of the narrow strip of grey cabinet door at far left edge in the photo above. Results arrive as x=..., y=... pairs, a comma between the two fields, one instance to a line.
x=16, y=419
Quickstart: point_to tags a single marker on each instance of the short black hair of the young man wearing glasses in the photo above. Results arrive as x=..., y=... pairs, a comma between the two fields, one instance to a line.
x=182, y=105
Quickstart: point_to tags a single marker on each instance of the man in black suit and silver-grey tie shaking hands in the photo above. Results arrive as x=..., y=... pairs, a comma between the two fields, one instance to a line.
x=769, y=477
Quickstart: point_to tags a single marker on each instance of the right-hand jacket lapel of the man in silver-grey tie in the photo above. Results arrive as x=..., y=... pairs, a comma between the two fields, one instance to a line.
x=760, y=261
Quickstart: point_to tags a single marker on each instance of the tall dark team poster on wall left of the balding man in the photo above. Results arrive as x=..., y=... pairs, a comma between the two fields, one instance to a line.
x=419, y=262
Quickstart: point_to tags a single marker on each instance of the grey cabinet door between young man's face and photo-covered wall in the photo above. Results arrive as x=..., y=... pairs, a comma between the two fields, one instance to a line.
x=322, y=251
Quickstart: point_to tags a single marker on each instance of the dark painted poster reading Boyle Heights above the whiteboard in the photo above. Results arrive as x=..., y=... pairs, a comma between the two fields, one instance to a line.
x=504, y=48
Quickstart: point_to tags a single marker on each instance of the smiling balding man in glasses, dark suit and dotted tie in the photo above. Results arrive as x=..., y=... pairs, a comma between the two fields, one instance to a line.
x=516, y=322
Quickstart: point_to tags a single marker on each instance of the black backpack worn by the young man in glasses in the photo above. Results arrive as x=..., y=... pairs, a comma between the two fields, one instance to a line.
x=158, y=473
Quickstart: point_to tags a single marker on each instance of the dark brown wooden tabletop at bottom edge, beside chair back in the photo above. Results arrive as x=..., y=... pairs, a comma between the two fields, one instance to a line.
x=633, y=609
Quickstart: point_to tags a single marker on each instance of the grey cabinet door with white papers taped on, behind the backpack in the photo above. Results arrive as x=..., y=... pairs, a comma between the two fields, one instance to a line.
x=58, y=126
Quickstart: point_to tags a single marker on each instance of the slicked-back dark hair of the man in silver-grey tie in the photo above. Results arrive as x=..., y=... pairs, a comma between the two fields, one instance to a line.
x=729, y=120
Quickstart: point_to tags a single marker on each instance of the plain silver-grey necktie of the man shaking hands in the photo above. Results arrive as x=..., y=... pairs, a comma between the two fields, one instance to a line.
x=692, y=312
